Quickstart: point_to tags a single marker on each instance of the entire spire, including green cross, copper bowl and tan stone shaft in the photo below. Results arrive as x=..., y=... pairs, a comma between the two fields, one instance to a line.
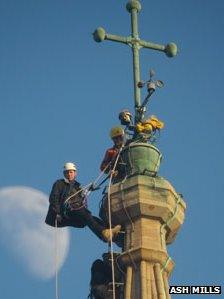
x=148, y=207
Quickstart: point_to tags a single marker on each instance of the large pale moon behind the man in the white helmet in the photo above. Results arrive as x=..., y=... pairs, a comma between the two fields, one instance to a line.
x=25, y=234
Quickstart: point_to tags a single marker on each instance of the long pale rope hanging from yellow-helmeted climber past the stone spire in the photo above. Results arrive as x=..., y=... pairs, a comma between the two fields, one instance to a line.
x=110, y=224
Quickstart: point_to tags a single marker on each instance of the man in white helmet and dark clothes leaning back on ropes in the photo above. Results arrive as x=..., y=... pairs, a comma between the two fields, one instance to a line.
x=78, y=215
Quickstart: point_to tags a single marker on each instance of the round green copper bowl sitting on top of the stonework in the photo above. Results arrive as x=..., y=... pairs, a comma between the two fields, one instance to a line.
x=141, y=158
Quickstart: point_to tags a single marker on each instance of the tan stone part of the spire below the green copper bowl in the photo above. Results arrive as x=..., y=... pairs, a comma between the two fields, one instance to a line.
x=152, y=212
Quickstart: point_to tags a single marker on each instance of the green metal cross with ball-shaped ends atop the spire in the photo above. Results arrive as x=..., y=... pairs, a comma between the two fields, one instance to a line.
x=136, y=44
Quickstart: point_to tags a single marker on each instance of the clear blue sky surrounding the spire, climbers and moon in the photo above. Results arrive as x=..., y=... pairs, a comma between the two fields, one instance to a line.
x=60, y=94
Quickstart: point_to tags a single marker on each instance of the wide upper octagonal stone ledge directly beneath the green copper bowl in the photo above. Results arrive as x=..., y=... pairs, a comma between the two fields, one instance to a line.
x=149, y=197
